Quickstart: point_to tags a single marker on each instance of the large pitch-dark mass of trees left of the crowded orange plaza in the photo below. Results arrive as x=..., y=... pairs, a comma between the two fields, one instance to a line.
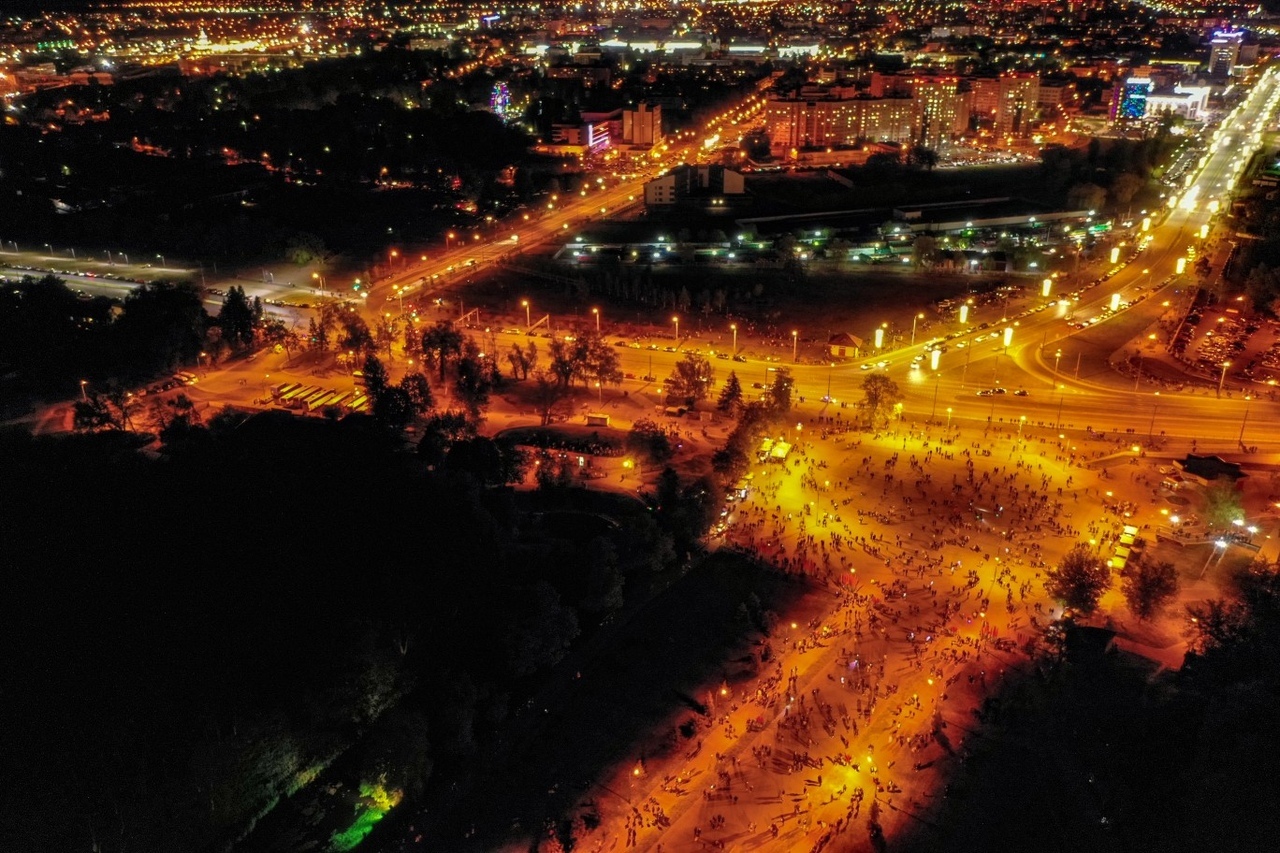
x=205, y=635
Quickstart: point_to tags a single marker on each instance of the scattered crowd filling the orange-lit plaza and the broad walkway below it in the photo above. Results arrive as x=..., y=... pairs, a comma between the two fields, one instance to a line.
x=926, y=550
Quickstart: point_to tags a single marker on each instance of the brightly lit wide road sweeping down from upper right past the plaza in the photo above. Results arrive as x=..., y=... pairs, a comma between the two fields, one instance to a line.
x=1063, y=371
